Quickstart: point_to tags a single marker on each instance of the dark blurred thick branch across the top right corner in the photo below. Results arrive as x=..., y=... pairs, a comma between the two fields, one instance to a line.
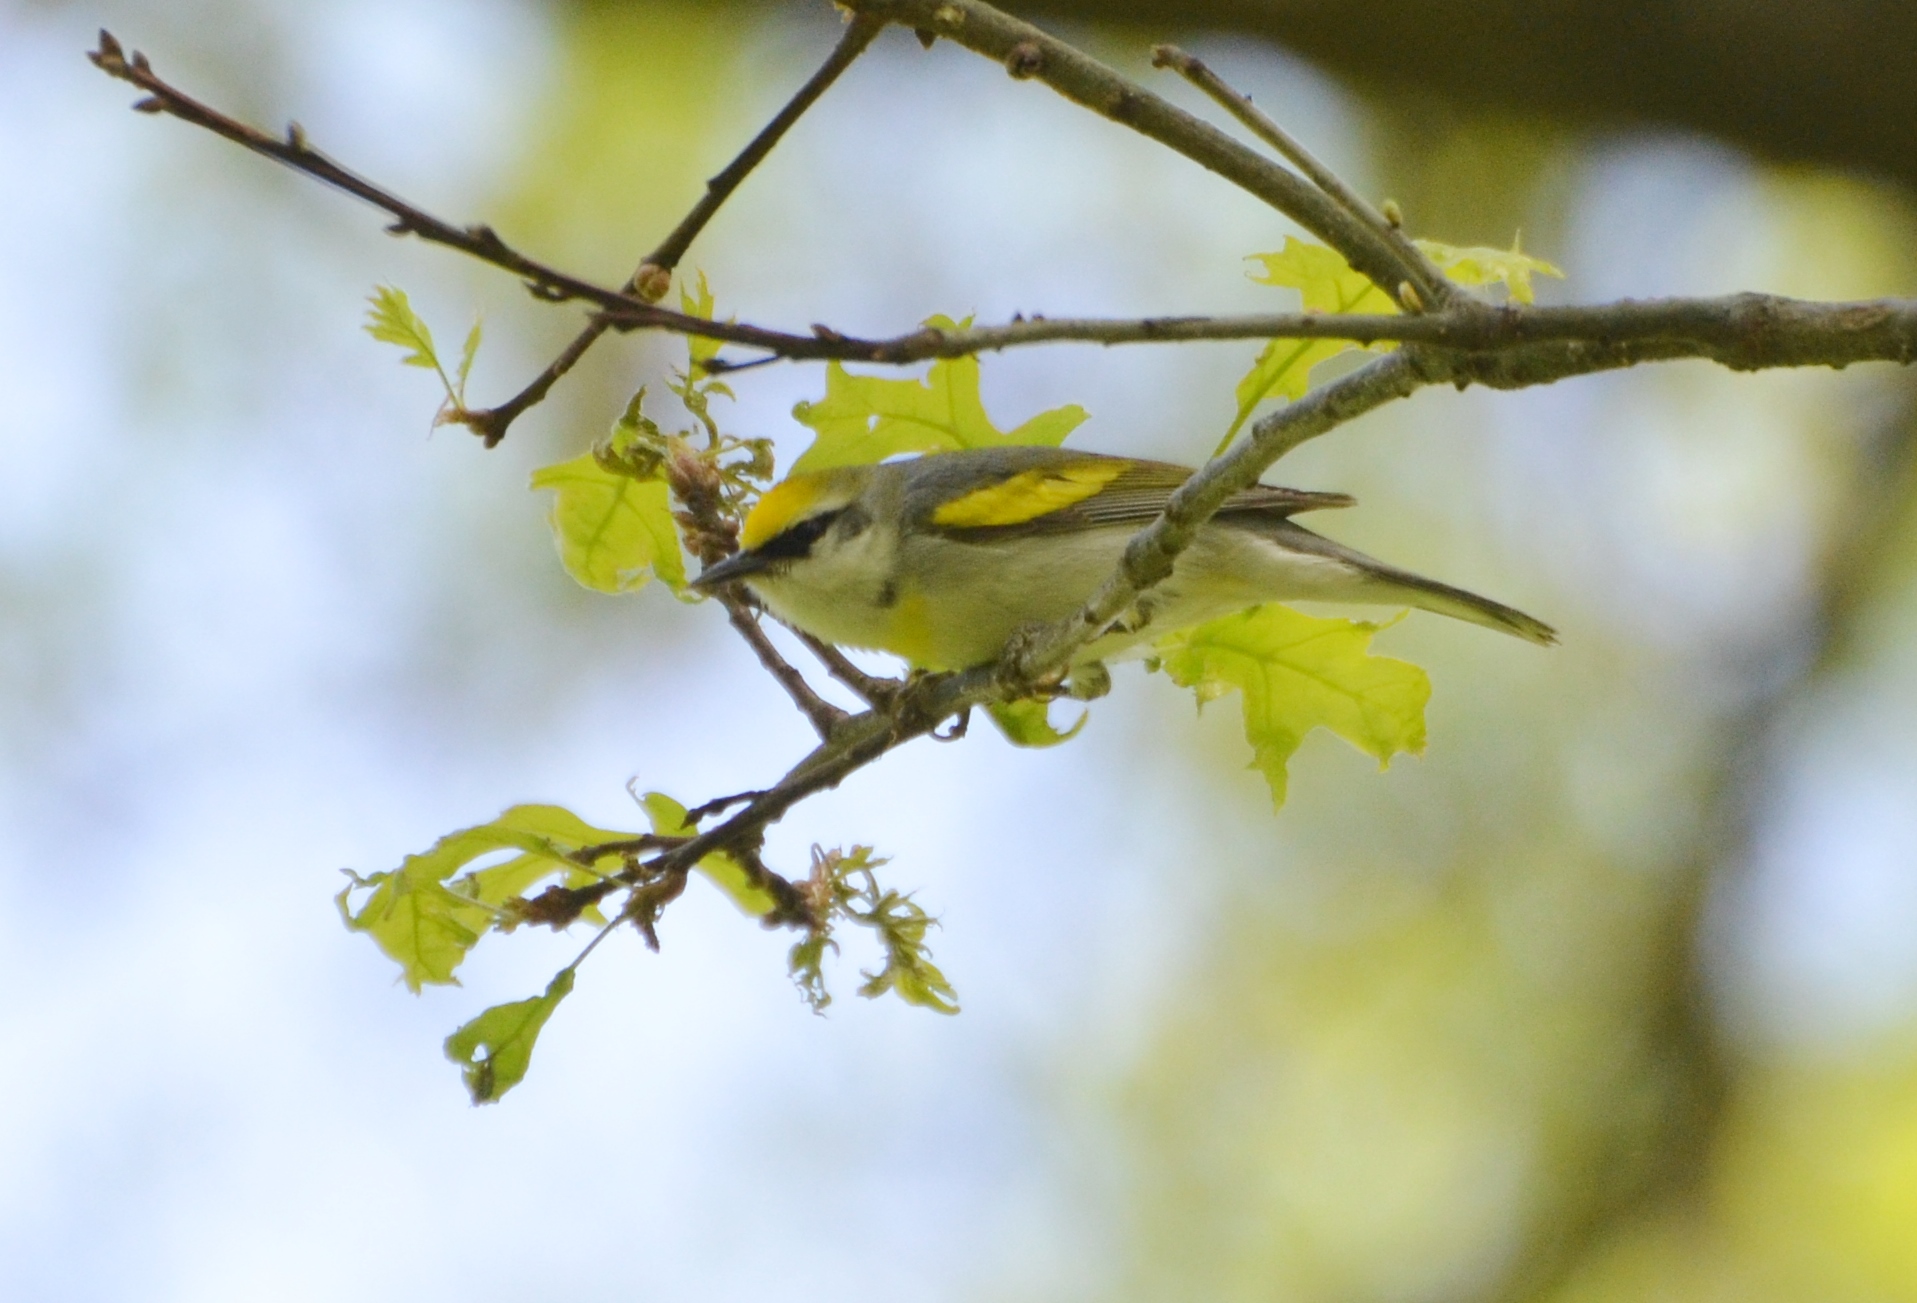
x=1814, y=81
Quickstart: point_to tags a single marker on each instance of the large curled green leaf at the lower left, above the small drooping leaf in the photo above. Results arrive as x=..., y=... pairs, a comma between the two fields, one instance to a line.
x=427, y=926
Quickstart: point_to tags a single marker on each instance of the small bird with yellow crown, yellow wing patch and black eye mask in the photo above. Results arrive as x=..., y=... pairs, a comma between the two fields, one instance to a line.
x=942, y=559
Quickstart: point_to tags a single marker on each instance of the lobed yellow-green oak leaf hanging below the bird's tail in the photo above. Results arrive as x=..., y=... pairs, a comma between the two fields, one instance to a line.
x=1299, y=674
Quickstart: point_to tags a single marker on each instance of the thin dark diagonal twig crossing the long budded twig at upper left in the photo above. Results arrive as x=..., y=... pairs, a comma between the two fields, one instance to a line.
x=649, y=281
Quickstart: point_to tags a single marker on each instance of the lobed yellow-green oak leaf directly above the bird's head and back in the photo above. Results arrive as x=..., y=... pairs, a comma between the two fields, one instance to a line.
x=869, y=419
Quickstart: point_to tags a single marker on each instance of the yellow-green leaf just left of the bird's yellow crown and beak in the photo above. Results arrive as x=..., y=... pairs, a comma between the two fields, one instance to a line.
x=614, y=532
